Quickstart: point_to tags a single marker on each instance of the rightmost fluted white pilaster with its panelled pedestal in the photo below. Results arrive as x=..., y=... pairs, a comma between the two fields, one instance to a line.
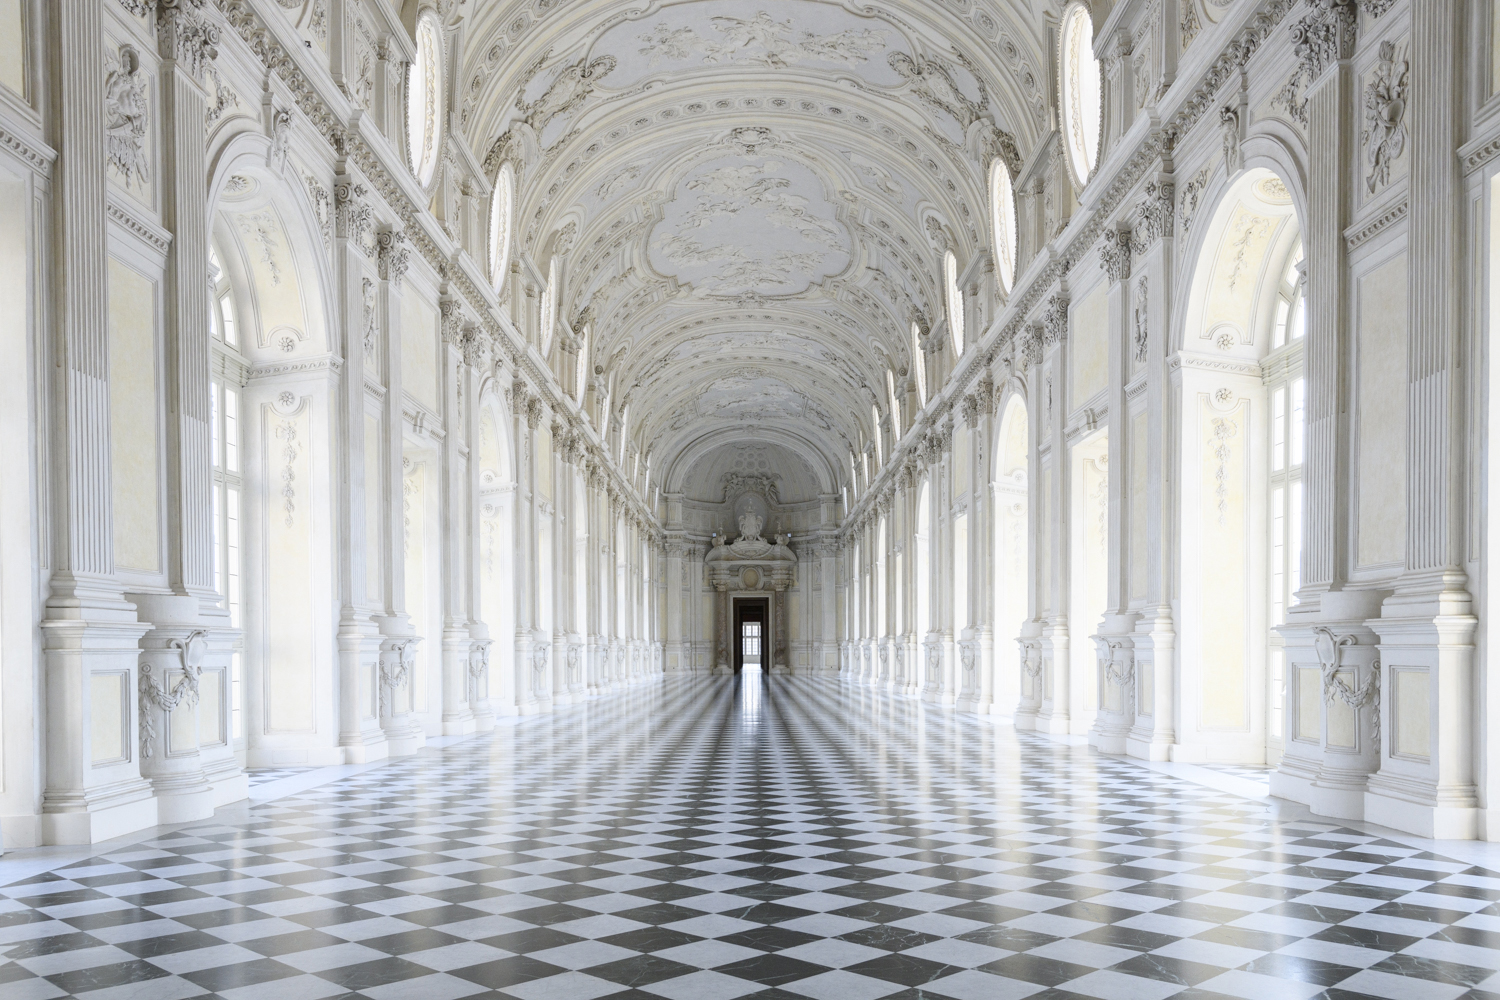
x=1427, y=627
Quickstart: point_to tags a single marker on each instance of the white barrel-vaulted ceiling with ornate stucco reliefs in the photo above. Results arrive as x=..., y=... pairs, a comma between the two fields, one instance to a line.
x=746, y=191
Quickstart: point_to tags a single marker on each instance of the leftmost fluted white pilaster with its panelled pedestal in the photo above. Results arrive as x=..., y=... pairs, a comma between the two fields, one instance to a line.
x=89, y=632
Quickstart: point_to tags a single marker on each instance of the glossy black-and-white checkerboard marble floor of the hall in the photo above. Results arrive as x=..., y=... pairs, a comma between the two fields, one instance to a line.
x=778, y=839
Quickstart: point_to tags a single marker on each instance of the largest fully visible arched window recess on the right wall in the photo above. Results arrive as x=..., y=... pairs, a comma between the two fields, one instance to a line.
x=1241, y=461
